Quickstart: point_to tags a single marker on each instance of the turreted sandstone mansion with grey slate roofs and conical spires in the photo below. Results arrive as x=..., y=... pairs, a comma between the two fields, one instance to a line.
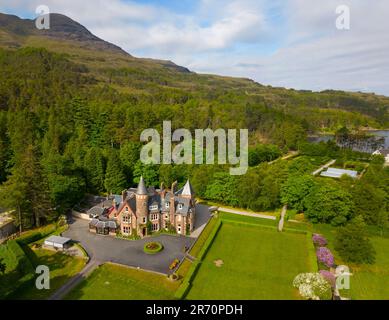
x=143, y=210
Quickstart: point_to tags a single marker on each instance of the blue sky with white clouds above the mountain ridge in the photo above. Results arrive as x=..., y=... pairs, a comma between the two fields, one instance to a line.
x=288, y=43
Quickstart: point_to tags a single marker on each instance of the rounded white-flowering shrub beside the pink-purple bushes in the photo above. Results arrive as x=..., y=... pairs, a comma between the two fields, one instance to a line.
x=313, y=286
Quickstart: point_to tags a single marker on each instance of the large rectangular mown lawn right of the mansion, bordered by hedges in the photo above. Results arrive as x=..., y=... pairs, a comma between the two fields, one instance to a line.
x=257, y=263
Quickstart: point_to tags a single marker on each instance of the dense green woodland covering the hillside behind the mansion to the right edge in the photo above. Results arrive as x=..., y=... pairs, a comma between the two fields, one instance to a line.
x=69, y=128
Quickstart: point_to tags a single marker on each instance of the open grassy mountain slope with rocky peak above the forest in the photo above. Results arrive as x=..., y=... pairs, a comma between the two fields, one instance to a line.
x=108, y=65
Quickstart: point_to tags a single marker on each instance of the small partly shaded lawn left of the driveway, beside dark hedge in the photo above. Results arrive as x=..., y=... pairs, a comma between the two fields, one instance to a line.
x=62, y=269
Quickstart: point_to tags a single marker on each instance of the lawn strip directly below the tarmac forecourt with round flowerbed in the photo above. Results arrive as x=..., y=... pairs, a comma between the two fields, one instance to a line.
x=112, y=282
